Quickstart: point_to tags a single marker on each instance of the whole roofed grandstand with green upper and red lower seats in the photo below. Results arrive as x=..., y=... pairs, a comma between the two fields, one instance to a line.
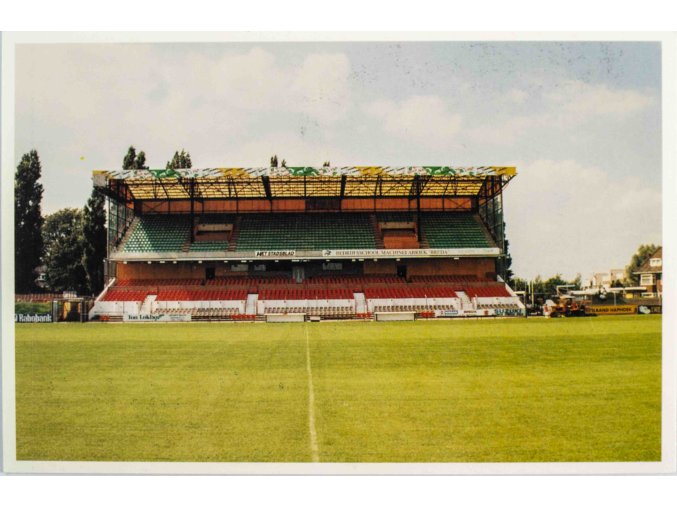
x=305, y=243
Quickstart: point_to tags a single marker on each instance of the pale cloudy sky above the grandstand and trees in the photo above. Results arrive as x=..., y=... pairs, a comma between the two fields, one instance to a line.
x=581, y=121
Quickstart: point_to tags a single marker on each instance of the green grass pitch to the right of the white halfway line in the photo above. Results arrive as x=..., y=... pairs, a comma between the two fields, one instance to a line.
x=561, y=390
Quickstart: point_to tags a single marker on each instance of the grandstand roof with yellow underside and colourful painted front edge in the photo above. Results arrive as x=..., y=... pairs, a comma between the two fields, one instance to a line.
x=296, y=182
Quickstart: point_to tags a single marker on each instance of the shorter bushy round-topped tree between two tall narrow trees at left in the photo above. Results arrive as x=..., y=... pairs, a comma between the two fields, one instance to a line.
x=63, y=239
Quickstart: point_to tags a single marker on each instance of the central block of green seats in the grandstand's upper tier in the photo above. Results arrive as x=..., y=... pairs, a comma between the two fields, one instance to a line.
x=305, y=232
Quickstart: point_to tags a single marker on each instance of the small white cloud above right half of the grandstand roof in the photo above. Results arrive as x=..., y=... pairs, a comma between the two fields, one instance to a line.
x=420, y=119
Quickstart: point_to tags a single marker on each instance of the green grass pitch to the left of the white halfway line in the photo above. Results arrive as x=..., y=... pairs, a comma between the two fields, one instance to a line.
x=148, y=392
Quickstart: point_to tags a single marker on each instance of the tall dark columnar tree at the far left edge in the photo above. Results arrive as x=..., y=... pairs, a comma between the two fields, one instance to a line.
x=28, y=245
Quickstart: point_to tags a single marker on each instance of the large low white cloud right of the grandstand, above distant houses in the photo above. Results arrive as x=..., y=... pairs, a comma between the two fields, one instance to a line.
x=562, y=216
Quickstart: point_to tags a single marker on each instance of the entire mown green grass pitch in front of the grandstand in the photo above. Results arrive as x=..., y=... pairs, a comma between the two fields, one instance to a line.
x=586, y=389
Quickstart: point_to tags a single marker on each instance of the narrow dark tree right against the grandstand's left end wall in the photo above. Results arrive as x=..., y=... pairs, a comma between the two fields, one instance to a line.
x=94, y=241
